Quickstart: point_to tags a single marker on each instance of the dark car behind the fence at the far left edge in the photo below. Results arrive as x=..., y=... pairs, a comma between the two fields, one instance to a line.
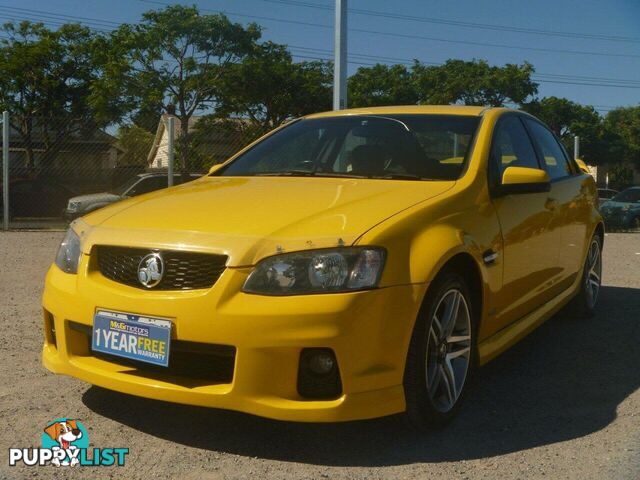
x=36, y=198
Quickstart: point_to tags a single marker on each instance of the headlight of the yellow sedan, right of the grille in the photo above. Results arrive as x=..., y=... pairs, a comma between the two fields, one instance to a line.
x=317, y=271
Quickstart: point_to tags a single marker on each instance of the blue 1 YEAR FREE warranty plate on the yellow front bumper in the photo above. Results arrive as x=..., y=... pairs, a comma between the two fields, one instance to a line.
x=136, y=337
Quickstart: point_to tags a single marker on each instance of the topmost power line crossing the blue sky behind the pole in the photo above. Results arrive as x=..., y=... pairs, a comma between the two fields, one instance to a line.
x=484, y=26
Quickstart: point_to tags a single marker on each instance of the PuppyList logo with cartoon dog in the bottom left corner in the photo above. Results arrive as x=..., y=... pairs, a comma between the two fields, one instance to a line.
x=65, y=443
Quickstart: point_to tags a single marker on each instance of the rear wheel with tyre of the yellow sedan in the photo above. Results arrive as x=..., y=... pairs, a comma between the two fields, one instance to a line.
x=584, y=303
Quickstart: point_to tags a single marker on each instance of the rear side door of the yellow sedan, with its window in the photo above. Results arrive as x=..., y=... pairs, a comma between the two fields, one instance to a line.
x=568, y=201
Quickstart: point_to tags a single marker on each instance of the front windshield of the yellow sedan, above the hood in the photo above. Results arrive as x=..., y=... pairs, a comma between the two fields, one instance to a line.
x=405, y=147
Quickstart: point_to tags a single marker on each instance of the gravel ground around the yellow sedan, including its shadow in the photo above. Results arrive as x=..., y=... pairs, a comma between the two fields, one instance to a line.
x=564, y=403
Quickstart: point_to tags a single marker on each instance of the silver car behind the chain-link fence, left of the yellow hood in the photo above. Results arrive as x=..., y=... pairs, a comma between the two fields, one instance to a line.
x=142, y=183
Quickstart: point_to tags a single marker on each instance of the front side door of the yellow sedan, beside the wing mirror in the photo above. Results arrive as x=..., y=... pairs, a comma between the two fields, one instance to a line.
x=529, y=255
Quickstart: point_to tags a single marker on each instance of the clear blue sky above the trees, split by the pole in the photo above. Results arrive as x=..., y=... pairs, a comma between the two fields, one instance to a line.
x=584, y=50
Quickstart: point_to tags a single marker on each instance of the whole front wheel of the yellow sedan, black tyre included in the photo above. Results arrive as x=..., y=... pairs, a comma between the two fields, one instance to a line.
x=441, y=354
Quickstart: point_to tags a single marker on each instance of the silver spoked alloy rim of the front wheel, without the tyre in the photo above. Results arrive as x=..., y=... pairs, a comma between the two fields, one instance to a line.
x=448, y=350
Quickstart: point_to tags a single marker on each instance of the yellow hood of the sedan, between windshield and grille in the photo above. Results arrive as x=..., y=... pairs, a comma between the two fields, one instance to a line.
x=249, y=218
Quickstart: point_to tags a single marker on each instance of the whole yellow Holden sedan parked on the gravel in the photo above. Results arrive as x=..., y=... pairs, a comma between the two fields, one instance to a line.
x=348, y=265
